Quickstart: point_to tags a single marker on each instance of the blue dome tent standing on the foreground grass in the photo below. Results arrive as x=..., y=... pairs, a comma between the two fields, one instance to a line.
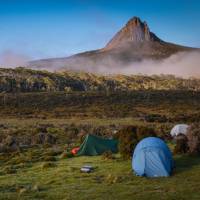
x=152, y=158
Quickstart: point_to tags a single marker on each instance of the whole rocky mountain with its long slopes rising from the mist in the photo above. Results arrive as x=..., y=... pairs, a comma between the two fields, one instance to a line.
x=133, y=43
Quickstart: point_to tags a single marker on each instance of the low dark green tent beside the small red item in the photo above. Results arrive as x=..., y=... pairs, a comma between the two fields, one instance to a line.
x=93, y=145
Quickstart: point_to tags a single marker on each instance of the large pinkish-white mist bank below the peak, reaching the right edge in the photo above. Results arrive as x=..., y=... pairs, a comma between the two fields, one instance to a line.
x=184, y=64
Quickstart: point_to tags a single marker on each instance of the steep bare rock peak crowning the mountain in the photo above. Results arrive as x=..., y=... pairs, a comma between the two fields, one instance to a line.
x=134, y=31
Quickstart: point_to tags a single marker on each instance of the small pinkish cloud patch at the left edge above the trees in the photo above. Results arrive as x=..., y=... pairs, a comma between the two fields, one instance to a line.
x=10, y=58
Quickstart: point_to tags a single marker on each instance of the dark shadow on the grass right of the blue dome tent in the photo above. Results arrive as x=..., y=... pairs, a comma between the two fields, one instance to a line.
x=185, y=163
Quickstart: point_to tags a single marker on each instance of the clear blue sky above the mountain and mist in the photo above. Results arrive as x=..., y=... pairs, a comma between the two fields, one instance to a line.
x=56, y=28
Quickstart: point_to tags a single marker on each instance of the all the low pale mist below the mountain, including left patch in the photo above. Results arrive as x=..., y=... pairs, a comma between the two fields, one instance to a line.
x=184, y=64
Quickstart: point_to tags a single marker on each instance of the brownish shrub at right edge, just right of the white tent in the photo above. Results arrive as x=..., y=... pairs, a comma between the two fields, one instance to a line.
x=193, y=137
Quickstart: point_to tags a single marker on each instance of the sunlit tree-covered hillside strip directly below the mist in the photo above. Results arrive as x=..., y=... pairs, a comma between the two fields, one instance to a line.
x=27, y=80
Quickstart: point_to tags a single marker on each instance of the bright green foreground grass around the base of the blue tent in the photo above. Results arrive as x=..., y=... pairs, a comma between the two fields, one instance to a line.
x=111, y=179
